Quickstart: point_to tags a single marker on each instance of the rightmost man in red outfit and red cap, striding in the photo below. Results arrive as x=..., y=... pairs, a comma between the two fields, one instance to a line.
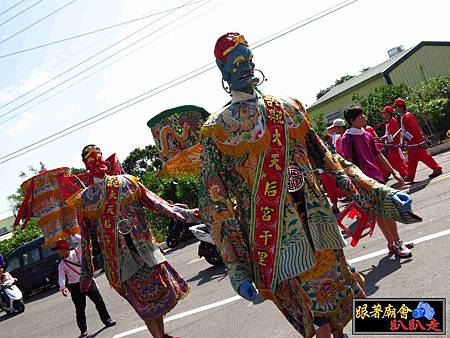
x=415, y=143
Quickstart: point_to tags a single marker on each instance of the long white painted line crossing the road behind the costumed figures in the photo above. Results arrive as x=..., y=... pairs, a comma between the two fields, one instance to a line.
x=235, y=298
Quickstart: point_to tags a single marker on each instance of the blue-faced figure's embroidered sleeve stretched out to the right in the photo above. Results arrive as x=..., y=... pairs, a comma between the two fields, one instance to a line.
x=372, y=196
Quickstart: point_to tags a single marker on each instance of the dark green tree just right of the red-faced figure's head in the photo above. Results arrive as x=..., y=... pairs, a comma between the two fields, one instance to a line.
x=142, y=160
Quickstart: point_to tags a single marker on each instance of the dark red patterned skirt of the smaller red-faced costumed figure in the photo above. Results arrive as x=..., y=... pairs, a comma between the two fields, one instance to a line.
x=154, y=291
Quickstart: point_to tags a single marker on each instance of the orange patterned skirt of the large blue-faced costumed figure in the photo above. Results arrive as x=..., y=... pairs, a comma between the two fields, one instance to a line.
x=320, y=295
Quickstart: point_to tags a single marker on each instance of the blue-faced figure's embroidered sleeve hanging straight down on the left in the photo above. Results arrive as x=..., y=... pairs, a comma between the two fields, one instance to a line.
x=217, y=210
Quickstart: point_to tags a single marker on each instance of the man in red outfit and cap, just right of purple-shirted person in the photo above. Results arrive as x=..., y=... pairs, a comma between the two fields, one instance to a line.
x=392, y=140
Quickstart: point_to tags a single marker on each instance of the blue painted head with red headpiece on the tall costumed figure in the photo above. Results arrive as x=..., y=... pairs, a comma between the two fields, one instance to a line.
x=235, y=61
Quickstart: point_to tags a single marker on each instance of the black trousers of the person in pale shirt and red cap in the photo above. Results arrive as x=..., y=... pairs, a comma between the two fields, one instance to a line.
x=79, y=299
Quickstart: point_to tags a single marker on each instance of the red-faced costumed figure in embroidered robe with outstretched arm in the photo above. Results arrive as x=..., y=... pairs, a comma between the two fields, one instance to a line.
x=113, y=209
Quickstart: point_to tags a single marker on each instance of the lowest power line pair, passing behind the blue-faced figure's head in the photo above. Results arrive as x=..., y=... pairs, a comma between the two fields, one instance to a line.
x=166, y=86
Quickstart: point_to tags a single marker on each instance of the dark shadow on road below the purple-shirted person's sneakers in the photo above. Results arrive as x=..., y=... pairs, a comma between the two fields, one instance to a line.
x=385, y=267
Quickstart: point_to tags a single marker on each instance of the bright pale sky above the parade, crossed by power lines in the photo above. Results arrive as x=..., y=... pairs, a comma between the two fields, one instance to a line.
x=299, y=64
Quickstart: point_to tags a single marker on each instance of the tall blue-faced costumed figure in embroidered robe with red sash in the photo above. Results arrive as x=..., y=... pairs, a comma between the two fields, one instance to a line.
x=282, y=238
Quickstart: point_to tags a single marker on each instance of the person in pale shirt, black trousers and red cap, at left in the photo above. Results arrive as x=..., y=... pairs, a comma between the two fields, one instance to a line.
x=69, y=282
